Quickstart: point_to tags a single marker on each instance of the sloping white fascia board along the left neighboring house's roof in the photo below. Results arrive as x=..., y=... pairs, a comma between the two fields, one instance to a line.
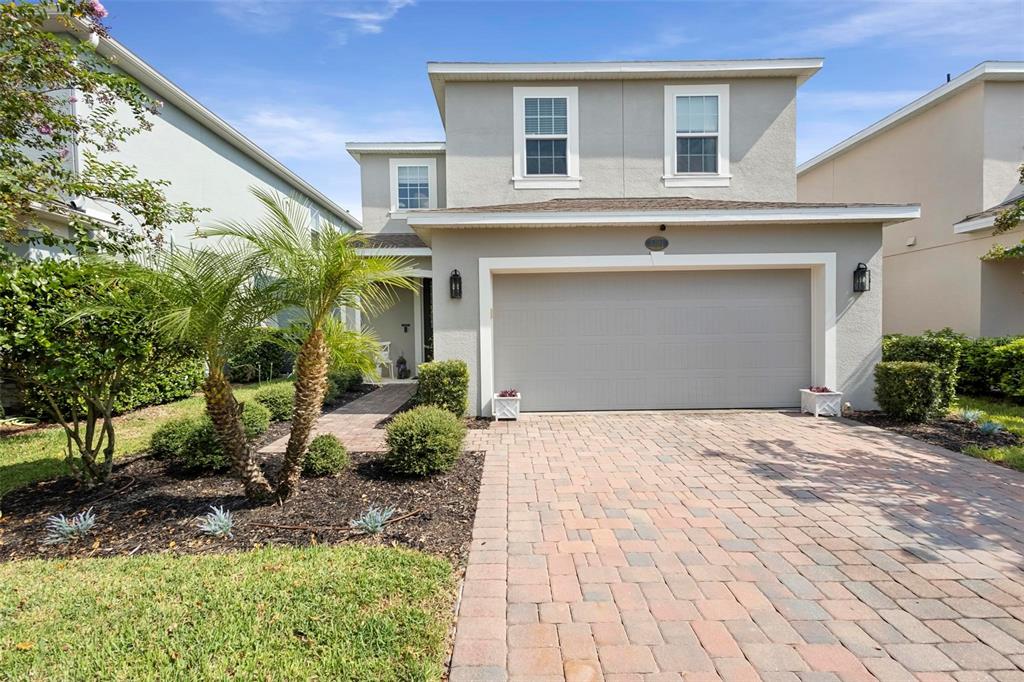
x=133, y=65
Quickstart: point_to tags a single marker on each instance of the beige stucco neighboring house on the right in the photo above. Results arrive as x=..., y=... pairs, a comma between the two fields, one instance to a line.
x=957, y=151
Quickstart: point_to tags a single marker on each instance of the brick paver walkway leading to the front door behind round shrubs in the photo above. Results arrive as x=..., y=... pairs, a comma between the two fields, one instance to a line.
x=354, y=423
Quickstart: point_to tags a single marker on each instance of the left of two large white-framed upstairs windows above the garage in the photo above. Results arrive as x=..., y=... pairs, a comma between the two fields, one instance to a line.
x=547, y=138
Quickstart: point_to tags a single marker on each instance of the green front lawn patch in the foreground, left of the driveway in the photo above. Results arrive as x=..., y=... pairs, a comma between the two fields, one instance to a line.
x=353, y=613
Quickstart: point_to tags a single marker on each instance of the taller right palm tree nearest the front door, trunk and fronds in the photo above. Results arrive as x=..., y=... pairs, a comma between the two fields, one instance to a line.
x=319, y=272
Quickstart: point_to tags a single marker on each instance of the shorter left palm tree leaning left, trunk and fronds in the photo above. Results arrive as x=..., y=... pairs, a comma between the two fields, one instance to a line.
x=214, y=302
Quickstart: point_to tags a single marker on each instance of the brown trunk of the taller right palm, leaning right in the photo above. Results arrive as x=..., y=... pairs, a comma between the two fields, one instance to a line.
x=311, y=386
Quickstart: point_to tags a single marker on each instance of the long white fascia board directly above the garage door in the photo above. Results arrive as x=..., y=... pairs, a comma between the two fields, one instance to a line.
x=883, y=215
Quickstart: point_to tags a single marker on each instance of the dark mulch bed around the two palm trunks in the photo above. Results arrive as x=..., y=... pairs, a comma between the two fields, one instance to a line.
x=145, y=508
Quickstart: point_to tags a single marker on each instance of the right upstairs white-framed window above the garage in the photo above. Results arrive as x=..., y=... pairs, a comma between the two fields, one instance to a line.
x=697, y=136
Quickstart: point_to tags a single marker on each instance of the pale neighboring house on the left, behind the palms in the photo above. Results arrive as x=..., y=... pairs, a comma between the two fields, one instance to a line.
x=208, y=163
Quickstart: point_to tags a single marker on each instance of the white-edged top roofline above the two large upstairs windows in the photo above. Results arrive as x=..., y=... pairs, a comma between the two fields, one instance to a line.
x=442, y=73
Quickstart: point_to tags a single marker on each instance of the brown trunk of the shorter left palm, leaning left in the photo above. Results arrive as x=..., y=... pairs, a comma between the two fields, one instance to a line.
x=226, y=413
